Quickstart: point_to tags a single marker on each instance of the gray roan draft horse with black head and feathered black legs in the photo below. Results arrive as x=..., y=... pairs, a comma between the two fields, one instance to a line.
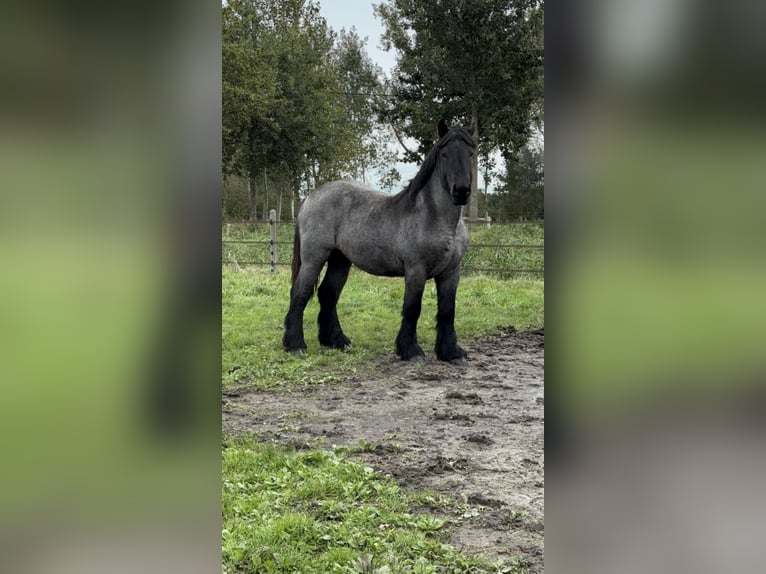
x=417, y=233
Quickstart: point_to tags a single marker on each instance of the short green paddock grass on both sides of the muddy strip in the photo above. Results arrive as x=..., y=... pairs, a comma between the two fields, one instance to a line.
x=316, y=510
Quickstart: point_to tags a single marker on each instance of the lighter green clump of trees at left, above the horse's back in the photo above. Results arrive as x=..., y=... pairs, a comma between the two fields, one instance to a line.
x=297, y=109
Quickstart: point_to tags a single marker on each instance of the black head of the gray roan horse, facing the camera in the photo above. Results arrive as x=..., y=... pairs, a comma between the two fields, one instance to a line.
x=455, y=150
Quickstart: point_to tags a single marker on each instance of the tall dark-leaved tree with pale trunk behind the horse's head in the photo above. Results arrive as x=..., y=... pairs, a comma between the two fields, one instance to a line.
x=479, y=62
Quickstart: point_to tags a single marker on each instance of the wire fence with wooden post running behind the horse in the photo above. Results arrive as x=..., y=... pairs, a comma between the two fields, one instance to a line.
x=507, y=250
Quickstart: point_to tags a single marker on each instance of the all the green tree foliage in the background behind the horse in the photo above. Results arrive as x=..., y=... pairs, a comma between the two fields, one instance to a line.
x=303, y=104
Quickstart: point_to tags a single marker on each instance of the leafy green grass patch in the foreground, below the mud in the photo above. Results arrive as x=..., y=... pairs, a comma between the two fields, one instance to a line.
x=318, y=512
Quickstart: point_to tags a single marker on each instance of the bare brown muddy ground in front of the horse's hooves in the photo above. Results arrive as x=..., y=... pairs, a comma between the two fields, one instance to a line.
x=474, y=432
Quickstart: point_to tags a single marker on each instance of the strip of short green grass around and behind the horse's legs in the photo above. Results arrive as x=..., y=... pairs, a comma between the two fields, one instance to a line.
x=255, y=301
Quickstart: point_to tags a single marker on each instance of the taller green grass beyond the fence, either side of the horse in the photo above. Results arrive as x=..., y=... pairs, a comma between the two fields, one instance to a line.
x=478, y=257
